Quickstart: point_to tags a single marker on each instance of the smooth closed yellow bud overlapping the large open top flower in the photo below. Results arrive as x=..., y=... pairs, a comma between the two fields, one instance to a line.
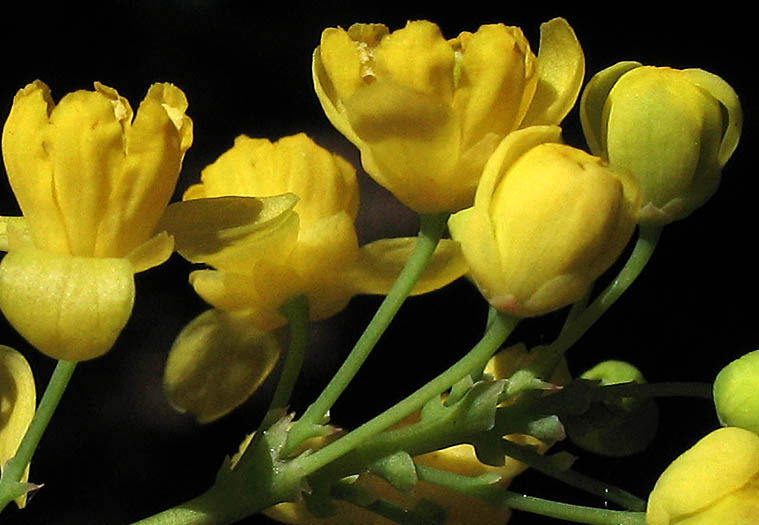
x=547, y=220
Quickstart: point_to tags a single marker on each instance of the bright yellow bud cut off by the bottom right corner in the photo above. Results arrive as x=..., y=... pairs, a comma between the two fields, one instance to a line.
x=715, y=481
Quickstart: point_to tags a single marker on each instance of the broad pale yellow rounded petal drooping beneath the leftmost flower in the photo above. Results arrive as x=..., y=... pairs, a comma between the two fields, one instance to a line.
x=70, y=308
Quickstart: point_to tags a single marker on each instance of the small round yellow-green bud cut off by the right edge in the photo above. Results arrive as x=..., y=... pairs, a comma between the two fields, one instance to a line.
x=735, y=393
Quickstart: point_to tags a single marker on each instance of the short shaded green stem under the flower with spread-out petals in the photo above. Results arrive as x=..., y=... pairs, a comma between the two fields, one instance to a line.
x=297, y=313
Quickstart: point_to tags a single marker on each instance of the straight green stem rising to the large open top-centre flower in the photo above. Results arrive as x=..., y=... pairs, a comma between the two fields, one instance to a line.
x=430, y=232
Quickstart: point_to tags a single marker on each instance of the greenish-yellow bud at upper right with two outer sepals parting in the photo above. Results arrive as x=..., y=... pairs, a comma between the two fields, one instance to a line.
x=673, y=129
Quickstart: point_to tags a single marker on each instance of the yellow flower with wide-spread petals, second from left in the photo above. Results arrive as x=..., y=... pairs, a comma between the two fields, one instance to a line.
x=274, y=221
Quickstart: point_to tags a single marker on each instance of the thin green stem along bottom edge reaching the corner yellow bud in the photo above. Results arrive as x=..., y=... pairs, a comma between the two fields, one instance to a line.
x=495, y=495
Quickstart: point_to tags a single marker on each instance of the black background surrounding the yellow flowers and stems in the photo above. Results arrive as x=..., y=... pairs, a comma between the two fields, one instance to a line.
x=116, y=452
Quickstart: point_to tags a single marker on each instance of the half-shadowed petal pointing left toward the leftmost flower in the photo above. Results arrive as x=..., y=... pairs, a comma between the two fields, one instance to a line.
x=231, y=233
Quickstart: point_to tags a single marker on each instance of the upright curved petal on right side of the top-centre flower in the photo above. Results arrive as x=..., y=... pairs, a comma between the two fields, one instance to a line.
x=561, y=70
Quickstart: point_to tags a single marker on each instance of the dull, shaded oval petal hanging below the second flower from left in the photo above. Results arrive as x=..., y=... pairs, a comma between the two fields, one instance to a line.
x=216, y=363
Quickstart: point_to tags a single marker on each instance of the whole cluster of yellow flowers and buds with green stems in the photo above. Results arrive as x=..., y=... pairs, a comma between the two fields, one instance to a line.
x=467, y=133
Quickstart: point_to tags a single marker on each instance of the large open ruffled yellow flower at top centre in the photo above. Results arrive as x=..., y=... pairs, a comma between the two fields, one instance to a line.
x=426, y=113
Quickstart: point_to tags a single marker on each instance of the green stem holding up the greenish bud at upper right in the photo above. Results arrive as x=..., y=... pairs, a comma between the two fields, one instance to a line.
x=579, y=323
